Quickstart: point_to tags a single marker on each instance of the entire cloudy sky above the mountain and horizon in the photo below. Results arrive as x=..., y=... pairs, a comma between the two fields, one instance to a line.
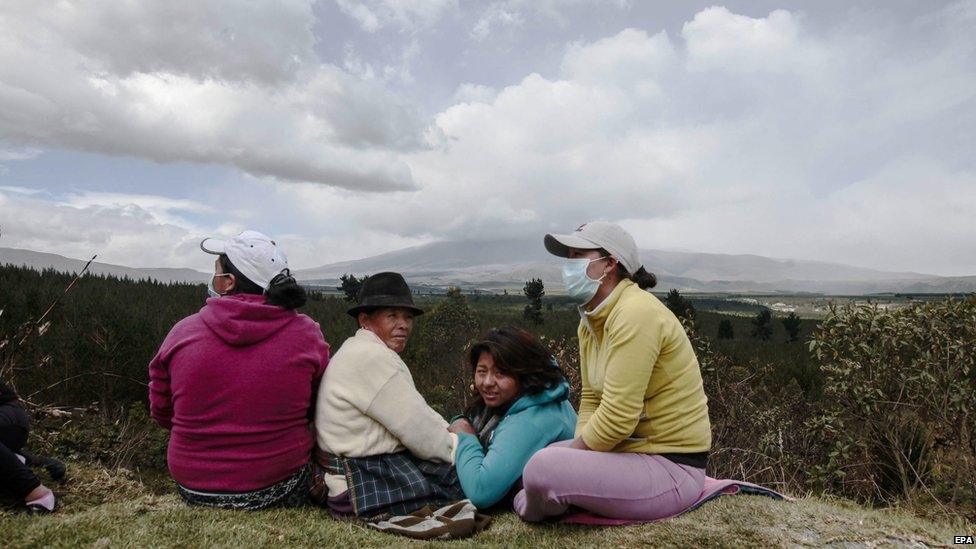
x=833, y=130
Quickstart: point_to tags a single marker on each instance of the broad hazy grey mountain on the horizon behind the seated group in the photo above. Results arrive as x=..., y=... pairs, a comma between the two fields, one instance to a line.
x=507, y=263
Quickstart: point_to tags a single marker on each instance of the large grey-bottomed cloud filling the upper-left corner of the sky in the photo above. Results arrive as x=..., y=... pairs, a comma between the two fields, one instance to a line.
x=234, y=85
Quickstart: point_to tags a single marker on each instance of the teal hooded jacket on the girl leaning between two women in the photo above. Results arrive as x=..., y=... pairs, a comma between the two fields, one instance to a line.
x=531, y=424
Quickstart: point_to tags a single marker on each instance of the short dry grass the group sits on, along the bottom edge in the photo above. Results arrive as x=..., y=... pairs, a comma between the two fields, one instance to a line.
x=116, y=509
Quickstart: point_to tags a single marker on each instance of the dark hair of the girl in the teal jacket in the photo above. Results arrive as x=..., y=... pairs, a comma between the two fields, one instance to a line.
x=518, y=353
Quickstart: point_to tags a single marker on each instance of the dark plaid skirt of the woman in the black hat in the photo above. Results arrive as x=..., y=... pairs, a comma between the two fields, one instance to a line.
x=394, y=484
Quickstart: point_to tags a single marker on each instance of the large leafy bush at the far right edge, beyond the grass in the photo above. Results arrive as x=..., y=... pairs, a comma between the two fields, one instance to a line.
x=898, y=415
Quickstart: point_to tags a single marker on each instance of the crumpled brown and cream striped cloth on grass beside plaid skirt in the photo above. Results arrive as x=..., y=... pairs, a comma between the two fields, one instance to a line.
x=454, y=521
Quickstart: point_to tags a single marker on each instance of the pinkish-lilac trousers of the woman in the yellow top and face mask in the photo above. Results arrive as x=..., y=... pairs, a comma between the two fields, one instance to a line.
x=617, y=485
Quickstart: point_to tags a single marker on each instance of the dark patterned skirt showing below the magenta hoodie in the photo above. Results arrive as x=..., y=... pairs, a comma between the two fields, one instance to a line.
x=291, y=492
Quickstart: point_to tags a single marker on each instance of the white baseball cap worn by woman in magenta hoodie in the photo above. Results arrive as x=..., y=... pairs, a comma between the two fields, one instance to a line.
x=254, y=254
